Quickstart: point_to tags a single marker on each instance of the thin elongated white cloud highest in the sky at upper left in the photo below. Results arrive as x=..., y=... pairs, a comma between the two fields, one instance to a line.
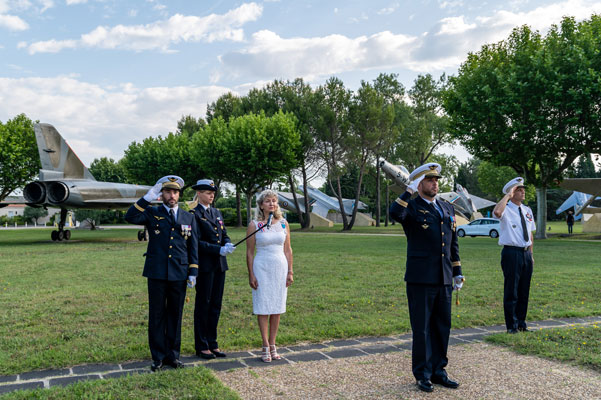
x=161, y=34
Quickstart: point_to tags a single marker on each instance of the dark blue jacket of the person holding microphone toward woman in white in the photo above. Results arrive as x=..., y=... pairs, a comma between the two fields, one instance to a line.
x=212, y=235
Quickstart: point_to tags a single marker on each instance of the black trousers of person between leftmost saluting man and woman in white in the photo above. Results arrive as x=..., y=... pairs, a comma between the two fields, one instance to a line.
x=207, y=309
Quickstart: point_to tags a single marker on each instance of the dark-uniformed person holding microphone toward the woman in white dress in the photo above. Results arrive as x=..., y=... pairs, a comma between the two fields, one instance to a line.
x=213, y=246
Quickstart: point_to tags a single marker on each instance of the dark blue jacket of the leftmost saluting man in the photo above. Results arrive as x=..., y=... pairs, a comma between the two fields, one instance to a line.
x=172, y=254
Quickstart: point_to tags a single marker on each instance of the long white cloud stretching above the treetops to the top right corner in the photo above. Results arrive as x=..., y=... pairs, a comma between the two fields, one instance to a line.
x=442, y=47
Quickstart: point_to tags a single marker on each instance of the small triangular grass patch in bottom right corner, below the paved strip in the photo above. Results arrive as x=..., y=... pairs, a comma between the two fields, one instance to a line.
x=576, y=344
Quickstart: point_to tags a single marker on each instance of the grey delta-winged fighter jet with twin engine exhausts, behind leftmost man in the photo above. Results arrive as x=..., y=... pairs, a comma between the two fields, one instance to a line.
x=66, y=183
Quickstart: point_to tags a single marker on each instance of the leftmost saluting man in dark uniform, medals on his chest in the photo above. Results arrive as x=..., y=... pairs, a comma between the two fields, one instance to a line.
x=171, y=259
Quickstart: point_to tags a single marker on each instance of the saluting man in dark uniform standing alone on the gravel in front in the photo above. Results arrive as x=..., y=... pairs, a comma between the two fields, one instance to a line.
x=433, y=271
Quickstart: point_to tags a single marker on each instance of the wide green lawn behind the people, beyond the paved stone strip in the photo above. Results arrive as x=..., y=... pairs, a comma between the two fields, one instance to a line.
x=85, y=301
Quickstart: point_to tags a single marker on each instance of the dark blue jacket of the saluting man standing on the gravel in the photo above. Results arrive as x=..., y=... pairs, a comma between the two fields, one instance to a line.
x=432, y=248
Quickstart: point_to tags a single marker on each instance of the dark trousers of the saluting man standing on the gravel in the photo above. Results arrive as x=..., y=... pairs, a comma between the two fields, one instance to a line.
x=430, y=315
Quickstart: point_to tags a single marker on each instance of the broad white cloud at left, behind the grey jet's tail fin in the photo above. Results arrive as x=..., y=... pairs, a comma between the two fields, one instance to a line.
x=101, y=121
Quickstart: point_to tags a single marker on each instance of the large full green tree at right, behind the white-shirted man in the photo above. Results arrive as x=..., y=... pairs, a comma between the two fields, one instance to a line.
x=532, y=103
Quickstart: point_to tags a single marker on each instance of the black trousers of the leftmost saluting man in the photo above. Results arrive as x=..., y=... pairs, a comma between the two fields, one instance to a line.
x=165, y=306
